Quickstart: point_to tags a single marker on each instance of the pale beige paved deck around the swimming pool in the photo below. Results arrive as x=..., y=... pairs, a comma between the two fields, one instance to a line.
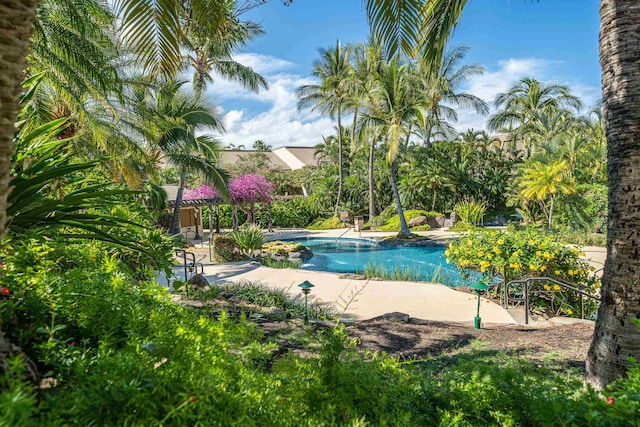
x=366, y=299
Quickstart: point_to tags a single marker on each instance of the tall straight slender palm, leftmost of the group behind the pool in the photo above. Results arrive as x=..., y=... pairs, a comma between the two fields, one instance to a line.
x=330, y=95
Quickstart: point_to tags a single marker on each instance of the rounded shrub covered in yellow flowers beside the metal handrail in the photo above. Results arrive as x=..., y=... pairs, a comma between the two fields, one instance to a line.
x=524, y=254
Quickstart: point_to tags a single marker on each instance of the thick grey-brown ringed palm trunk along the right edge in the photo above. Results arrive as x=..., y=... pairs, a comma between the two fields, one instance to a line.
x=616, y=335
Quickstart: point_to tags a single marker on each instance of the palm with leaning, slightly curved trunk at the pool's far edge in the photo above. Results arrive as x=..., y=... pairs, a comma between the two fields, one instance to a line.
x=396, y=105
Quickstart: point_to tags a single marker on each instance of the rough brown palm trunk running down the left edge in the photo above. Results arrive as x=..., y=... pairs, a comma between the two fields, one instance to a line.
x=16, y=25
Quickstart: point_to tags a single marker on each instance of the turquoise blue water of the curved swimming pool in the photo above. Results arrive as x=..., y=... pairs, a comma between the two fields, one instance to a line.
x=352, y=255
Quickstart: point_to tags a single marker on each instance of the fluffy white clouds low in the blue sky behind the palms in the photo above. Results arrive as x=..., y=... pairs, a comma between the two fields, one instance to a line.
x=277, y=121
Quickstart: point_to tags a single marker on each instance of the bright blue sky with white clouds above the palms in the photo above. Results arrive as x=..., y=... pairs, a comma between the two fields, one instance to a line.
x=550, y=40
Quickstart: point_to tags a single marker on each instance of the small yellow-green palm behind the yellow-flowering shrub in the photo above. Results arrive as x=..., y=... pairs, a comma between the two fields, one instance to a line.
x=541, y=181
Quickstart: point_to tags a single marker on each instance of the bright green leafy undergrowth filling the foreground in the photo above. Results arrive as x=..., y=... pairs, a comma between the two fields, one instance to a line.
x=119, y=352
